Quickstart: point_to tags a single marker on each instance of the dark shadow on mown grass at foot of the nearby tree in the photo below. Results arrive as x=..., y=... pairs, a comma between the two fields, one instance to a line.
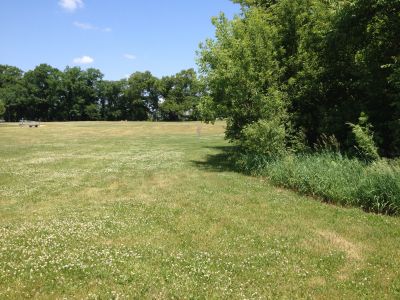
x=221, y=161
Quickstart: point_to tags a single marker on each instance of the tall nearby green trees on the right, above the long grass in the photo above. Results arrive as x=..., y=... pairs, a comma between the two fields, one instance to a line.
x=292, y=74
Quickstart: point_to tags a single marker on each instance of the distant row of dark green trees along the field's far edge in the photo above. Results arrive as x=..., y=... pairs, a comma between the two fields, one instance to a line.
x=48, y=94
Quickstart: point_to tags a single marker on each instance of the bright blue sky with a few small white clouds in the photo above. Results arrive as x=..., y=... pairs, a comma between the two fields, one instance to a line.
x=118, y=37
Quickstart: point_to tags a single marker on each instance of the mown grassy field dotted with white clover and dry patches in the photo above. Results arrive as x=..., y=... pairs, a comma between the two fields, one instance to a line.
x=152, y=210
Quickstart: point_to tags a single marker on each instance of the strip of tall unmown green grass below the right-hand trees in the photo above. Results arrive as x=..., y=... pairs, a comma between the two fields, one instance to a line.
x=333, y=177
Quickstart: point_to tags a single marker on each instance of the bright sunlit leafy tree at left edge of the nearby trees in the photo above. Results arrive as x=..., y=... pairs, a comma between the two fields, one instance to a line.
x=242, y=71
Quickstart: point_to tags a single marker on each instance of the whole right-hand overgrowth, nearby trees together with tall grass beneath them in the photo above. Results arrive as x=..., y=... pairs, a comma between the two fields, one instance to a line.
x=295, y=77
